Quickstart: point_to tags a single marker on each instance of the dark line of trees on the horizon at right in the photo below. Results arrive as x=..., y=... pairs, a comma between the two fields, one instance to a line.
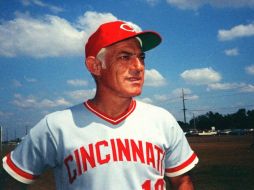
x=242, y=119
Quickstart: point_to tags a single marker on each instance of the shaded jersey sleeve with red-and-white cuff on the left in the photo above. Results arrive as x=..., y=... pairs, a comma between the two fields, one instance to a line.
x=33, y=155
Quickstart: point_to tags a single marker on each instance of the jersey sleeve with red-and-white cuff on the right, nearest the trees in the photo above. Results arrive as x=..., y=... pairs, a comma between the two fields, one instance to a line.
x=179, y=158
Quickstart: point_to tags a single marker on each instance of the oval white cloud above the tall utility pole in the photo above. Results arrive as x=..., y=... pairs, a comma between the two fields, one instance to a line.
x=201, y=76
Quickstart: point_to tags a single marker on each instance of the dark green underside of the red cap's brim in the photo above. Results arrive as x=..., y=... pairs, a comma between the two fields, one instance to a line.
x=149, y=39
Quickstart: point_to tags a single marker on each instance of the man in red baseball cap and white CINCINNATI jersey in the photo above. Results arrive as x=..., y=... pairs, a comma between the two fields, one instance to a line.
x=111, y=141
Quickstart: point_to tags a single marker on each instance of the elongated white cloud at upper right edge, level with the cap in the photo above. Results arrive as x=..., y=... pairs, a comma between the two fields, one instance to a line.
x=236, y=32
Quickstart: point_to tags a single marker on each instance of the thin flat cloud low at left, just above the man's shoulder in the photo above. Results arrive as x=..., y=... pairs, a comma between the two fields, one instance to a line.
x=33, y=102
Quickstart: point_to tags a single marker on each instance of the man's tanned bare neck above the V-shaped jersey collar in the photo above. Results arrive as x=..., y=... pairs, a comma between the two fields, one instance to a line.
x=112, y=107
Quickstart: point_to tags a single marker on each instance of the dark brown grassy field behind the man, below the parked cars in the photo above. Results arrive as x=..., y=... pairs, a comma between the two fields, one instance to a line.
x=226, y=163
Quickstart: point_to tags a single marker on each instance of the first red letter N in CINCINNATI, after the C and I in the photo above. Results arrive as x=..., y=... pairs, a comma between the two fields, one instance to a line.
x=87, y=157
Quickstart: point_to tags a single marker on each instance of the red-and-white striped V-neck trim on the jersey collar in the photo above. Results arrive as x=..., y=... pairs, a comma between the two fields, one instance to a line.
x=89, y=105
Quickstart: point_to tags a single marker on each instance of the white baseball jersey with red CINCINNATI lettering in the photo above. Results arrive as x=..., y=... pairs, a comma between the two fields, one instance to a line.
x=89, y=150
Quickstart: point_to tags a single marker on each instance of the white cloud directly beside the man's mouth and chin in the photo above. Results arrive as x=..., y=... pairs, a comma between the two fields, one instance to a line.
x=154, y=78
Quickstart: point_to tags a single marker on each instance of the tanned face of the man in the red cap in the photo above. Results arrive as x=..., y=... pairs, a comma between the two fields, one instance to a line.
x=124, y=72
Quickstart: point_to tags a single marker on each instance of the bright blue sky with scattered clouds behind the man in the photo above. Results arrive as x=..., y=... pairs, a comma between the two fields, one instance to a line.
x=207, y=51
